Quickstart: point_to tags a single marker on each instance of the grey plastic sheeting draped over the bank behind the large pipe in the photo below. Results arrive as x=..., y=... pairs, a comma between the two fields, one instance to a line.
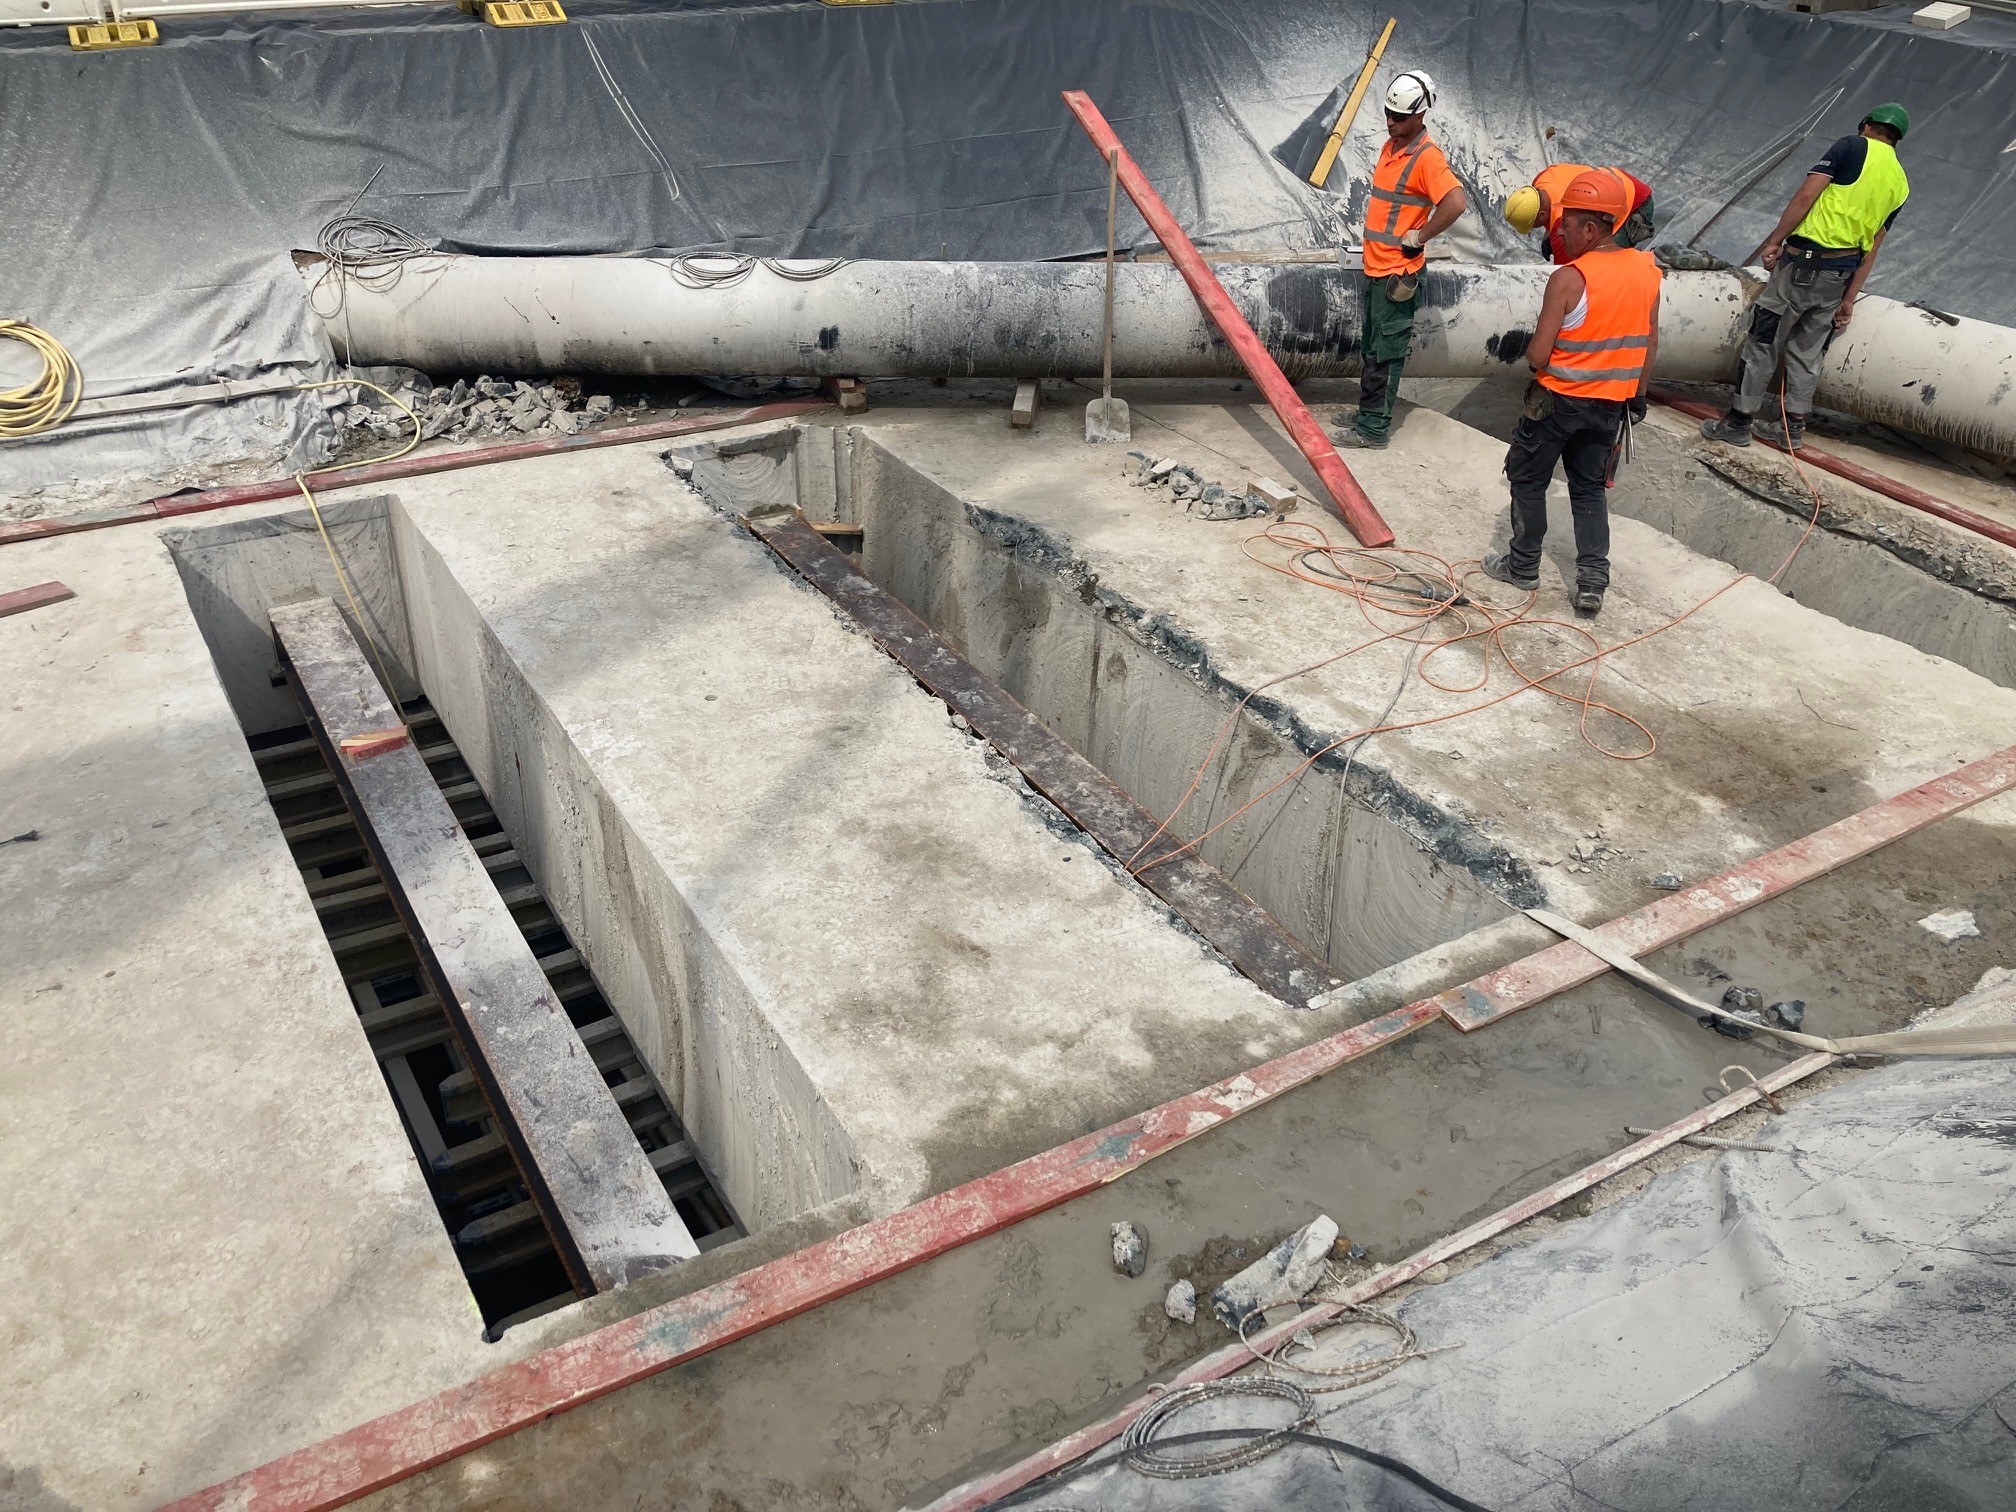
x=152, y=199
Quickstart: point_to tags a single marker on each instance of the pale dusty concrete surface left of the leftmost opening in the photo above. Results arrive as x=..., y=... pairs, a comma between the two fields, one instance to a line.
x=219, y=1243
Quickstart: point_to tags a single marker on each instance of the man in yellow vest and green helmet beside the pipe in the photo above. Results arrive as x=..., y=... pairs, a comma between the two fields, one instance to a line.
x=1819, y=259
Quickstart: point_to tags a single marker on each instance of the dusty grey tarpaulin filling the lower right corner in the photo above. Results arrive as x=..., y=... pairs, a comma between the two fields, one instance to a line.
x=1823, y=1328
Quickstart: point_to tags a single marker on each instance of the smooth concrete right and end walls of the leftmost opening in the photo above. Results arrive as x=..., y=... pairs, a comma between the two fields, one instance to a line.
x=759, y=1126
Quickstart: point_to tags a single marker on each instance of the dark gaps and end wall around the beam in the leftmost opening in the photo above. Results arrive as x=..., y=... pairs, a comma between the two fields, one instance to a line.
x=237, y=578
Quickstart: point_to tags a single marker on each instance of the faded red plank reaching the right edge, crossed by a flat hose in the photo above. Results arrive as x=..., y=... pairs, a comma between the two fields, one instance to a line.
x=1682, y=914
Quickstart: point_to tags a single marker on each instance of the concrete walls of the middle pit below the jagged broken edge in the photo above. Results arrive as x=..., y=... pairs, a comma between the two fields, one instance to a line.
x=1130, y=695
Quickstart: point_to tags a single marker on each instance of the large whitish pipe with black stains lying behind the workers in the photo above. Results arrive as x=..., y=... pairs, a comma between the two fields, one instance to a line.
x=1043, y=320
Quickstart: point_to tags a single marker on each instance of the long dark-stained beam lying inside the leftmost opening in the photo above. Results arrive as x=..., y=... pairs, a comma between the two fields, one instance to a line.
x=594, y=1184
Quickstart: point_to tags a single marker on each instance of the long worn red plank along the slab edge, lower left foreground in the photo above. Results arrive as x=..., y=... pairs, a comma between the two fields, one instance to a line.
x=455, y=1422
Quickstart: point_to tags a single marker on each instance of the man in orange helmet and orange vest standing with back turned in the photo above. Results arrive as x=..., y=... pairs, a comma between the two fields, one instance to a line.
x=1592, y=354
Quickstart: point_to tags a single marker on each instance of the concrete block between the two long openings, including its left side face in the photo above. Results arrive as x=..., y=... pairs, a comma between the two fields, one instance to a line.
x=846, y=936
